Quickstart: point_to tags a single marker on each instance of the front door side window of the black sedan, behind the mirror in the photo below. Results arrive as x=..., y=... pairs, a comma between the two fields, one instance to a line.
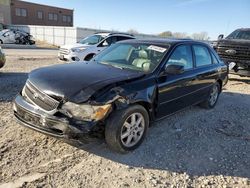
x=182, y=55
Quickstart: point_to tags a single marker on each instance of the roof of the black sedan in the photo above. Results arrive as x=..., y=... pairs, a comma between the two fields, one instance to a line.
x=163, y=42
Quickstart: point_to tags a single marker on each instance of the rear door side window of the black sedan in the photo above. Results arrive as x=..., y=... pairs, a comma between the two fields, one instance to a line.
x=202, y=56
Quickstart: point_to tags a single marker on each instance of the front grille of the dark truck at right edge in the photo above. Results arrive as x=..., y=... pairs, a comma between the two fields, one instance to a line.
x=242, y=52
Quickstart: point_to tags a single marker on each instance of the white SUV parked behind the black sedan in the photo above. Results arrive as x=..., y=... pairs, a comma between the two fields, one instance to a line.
x=86, y=48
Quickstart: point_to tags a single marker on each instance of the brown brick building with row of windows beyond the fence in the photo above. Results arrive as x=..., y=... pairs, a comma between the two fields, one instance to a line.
x=15, y=12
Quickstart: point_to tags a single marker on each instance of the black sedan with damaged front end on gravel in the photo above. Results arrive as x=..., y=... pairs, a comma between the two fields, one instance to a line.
x=121, y=91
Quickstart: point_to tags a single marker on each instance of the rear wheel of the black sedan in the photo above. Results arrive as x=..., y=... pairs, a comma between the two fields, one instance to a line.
x=212, y=99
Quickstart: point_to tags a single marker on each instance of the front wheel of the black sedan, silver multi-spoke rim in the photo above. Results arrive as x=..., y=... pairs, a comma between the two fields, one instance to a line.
x=126, y=129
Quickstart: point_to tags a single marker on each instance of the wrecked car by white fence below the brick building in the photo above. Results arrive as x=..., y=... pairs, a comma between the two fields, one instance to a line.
x=12, y=36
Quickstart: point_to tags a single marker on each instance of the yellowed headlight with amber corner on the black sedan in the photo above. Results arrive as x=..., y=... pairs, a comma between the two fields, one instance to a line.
x=86, y=112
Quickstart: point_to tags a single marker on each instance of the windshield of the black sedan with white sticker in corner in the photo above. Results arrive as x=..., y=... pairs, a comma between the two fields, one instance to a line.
x=139, y=57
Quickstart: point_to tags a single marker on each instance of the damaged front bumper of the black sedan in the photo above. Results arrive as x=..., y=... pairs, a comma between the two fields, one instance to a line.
x=58, y=126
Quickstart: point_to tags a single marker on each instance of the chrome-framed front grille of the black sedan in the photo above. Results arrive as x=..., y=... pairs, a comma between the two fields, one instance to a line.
x=39, y=98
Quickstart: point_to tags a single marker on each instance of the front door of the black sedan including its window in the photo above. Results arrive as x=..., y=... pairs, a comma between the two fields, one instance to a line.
x=175, y=91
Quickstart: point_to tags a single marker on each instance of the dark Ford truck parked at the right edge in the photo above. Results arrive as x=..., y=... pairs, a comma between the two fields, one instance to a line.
x=236, y=48
